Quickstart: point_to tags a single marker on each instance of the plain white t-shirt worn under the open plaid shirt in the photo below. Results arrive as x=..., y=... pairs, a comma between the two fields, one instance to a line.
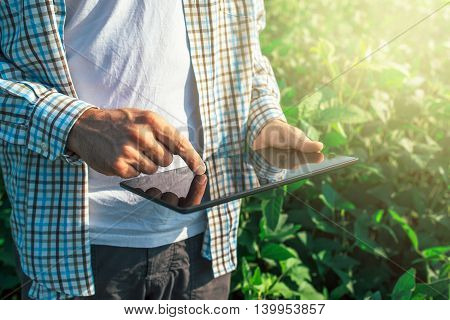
x=134, y=54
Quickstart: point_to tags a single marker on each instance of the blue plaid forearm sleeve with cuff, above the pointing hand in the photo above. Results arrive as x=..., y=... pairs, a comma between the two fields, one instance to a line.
x=37, y=116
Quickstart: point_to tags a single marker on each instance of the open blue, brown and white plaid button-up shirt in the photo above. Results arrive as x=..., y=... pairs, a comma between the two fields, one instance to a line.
x=47, y=185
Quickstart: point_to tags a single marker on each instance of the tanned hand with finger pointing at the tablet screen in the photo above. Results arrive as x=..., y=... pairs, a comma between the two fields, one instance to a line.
x=125, y=142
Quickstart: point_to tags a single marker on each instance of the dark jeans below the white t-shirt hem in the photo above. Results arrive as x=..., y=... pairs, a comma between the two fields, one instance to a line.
x=173, y=271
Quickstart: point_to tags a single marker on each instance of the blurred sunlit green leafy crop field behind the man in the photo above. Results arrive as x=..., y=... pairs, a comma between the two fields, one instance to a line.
x=379, y=229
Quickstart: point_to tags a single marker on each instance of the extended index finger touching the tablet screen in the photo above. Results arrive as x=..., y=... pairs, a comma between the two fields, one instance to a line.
x=176, y=143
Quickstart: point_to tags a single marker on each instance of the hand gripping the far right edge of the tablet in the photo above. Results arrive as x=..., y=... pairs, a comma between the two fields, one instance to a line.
x=278, y=134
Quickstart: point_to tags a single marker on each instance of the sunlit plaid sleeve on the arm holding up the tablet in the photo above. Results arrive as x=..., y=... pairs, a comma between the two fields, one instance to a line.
x=265, y=99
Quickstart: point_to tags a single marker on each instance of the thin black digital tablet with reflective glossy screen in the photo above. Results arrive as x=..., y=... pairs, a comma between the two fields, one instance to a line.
x=232, y=176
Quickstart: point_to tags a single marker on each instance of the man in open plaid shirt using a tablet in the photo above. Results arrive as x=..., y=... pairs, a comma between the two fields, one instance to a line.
x=92, y=92
